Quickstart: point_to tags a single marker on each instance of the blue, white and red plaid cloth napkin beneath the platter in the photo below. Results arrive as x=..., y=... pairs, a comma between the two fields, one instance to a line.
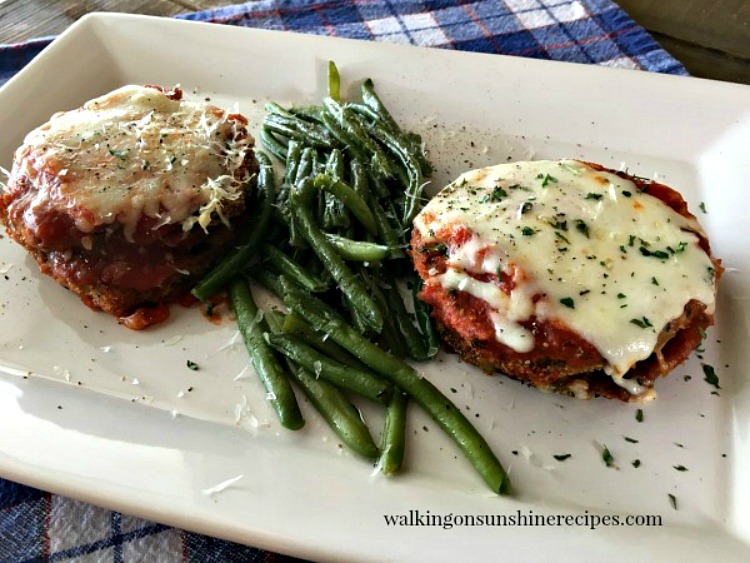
x=39, y=526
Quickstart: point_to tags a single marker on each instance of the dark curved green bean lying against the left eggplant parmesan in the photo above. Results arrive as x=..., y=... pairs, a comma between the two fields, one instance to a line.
x=222, y=273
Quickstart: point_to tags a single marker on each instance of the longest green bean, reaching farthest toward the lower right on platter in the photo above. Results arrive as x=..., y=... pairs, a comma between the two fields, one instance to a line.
x=403, y=376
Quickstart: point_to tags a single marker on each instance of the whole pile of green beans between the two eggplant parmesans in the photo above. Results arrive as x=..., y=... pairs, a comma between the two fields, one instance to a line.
x=336, y=227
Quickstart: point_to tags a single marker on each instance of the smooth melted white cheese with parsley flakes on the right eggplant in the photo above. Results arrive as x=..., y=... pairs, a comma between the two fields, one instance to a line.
x=584, y=247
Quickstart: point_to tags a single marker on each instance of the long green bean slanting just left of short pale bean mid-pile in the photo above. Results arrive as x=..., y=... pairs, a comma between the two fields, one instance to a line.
x=347, y=281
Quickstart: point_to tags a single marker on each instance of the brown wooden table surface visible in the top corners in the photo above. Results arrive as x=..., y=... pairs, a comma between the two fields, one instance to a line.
x=710, y=37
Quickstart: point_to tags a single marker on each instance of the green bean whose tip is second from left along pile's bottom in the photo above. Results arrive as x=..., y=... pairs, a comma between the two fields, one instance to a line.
x=338, y=412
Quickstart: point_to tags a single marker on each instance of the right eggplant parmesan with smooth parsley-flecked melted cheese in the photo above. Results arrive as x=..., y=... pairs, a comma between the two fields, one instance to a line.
x=566, y=275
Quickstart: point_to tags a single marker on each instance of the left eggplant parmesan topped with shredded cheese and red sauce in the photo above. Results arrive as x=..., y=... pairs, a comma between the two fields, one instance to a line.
x=128, y=199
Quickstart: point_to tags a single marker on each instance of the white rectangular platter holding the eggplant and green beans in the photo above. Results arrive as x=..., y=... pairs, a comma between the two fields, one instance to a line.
x=91, y=410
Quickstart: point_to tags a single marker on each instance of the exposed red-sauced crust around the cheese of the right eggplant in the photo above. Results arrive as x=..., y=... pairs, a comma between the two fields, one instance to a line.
x=561, y=361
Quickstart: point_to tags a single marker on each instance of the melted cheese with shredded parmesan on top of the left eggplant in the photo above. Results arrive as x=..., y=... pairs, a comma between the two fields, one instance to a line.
x=135, y=152
